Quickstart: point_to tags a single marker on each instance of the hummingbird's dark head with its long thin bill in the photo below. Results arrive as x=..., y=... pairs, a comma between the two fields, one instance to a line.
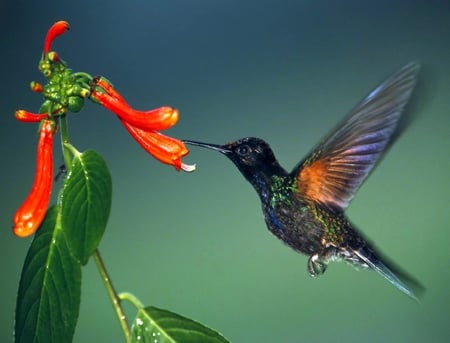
x=251, y=155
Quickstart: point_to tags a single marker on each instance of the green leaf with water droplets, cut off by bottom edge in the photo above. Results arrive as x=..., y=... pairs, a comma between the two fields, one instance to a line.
x=157, y=325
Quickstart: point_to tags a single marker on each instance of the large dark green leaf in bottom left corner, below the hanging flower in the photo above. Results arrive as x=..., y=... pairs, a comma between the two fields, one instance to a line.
x=48, y=300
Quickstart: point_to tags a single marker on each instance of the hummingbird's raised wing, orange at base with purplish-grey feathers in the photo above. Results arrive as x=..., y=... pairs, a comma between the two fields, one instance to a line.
x=336, y=168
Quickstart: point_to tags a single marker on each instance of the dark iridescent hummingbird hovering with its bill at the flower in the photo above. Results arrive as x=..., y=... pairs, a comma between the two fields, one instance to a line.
x=306, y=207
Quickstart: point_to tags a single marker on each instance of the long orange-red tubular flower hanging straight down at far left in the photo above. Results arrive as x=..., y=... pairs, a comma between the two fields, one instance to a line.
x=31, y=213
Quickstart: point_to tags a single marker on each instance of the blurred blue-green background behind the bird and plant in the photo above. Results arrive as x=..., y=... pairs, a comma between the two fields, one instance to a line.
x=286, y=71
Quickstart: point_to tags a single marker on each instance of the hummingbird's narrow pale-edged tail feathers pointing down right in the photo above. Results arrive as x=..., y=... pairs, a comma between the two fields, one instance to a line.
x=395, y=276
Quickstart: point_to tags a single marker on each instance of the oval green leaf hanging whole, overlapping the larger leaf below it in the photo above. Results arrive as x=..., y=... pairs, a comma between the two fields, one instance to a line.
x=86, y=203
